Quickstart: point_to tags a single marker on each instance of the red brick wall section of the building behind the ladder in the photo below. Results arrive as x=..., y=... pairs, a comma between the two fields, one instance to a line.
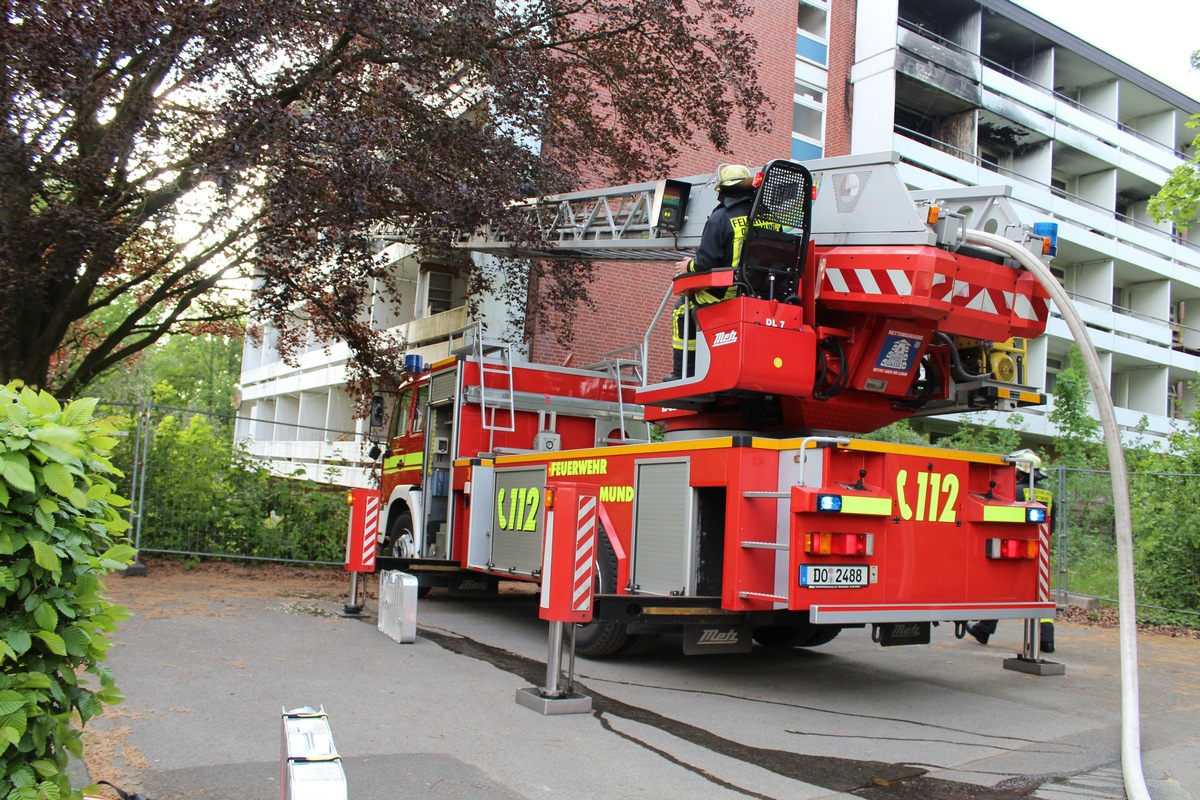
x=626, y=296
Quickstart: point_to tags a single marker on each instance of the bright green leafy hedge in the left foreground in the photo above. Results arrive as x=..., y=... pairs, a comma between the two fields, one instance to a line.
x=61, y=533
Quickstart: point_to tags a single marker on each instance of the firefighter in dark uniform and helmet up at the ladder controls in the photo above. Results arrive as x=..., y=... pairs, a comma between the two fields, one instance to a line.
x=721, y=248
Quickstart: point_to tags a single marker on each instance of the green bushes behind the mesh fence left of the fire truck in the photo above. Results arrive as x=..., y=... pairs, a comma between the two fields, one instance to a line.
x=206, y=496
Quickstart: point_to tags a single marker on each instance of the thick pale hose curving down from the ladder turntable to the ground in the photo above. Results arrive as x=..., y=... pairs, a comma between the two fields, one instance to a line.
x=1127, y=613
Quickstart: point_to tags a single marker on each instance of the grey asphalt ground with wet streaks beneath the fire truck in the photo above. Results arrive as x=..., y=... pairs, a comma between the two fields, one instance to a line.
x=209, y=670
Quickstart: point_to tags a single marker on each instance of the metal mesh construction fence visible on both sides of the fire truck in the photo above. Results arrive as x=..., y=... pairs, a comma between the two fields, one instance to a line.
x=200, y=492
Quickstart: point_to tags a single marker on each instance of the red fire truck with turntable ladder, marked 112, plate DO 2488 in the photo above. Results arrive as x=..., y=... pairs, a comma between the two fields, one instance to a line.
x=758, y=518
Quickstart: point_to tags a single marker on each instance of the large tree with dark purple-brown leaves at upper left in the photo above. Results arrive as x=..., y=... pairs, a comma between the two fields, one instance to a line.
x=151, y=152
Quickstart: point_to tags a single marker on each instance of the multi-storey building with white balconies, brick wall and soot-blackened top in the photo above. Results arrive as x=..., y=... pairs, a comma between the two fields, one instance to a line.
x=968, y=93
